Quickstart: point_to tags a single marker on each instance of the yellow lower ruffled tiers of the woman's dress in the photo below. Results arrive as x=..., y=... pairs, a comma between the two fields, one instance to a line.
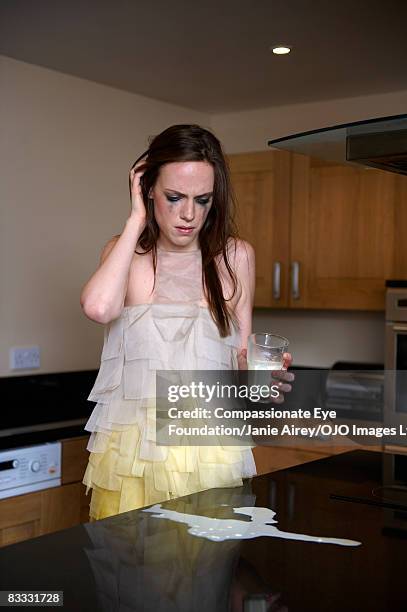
x=121, y=480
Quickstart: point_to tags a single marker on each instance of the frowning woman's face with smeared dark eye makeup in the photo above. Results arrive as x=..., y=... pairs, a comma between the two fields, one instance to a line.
x=182, y=200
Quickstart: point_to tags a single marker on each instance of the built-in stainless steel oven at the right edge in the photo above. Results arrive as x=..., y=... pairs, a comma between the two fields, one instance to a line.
x=396, y=356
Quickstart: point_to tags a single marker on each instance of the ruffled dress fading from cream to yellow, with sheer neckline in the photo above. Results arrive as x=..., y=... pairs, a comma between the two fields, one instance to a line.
x=175, y=331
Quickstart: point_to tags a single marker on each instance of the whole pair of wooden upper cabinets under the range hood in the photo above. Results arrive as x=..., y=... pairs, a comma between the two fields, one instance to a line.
x=338, y=228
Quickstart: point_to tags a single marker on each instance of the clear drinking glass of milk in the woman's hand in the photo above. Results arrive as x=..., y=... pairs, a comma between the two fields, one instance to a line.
x=264, y=353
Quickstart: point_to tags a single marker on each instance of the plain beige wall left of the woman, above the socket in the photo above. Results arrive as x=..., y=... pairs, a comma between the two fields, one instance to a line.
x=66, y=146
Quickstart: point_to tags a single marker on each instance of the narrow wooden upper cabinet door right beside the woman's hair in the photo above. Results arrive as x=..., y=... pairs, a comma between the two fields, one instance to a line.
x=261, y=182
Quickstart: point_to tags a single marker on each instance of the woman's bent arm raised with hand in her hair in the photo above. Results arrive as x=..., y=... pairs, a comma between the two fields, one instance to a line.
x=103, y=296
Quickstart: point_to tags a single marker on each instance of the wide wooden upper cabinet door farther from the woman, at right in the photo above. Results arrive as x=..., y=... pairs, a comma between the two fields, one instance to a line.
x=346, y=234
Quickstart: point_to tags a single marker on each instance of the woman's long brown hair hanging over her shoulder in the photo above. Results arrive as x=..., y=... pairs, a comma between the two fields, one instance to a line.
x=193, y=143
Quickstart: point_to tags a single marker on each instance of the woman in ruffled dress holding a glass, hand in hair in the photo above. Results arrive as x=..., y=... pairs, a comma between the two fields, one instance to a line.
x=175, y=291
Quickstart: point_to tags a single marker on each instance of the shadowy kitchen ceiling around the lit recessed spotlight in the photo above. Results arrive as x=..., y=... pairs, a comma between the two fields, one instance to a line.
x=213, y=56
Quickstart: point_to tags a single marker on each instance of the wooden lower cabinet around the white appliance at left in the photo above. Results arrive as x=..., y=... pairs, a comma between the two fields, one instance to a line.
x=34, y=514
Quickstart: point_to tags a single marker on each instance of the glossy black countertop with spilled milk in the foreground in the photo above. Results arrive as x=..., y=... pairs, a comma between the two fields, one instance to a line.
x=136, y=561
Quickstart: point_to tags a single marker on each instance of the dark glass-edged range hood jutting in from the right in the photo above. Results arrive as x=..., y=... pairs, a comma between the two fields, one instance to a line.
x=378, y=143
